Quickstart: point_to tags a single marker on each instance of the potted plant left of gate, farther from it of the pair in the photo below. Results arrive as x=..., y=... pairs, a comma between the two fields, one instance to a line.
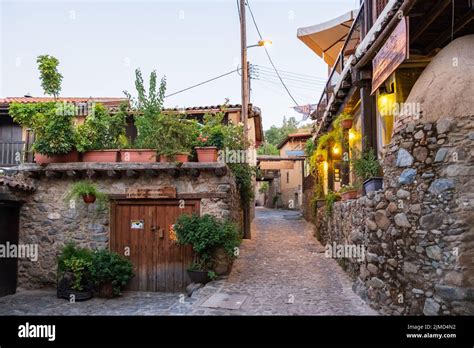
x=74, y=280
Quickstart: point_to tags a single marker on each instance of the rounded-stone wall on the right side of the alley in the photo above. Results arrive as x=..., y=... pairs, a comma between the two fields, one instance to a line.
x=418, y=233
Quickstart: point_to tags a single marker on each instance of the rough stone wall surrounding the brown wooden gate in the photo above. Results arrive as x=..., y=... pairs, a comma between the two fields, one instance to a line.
x=47, y=220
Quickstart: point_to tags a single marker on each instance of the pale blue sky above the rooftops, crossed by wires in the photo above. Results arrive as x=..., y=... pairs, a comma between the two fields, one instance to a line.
x=99, y=45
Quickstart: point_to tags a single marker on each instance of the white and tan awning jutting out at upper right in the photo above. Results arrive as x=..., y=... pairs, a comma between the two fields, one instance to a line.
x=327, y=39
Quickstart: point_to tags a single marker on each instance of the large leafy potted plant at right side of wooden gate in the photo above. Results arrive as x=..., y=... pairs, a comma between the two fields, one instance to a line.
x=206, y=235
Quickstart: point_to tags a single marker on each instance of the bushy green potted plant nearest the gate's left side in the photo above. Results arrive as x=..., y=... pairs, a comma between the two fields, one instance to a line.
x=110, y=273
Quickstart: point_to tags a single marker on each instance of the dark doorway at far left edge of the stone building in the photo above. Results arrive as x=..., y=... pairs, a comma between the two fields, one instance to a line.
x=9, y=223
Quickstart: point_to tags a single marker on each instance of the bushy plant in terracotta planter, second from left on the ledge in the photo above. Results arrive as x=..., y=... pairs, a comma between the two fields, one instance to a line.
x=98, y=138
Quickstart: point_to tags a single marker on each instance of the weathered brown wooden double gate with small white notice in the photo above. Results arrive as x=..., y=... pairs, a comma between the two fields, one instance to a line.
x=143, y=229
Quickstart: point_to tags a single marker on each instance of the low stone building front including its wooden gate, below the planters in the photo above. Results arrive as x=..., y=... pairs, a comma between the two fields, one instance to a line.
x=152, y=194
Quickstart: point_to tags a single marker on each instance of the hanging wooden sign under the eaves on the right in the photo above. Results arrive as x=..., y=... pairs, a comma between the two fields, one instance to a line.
x=393, y=53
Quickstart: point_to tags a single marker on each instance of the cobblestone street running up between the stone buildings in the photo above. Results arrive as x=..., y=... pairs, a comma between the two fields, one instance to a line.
x=281, y=271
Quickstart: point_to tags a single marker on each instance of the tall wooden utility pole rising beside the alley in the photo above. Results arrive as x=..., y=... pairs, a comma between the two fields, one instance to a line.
x=245, y=100
